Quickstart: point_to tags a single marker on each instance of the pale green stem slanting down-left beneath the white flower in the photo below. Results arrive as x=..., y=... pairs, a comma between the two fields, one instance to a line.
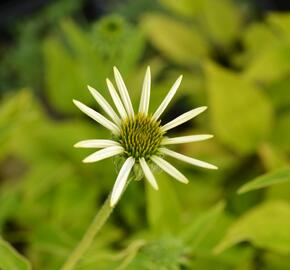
x=98, y=222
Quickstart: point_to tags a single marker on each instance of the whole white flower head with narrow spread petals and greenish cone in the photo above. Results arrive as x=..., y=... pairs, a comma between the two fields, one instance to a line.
x=139, y=138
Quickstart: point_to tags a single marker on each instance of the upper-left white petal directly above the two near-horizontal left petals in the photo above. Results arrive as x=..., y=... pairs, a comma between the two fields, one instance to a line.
x=97, y=117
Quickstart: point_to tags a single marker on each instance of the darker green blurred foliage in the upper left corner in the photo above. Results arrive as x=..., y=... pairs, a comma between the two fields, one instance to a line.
x=21, y=61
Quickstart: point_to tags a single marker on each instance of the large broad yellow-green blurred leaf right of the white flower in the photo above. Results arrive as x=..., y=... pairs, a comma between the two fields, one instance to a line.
x=241, y=115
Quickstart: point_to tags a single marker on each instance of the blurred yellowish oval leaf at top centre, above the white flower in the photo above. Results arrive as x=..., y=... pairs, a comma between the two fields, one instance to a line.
x=177, y=41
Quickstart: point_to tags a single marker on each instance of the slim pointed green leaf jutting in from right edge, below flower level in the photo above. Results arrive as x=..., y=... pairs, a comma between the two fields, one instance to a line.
x=266, y=180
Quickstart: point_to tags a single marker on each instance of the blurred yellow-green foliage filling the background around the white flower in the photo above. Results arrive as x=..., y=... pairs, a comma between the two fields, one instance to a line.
x=235, y=64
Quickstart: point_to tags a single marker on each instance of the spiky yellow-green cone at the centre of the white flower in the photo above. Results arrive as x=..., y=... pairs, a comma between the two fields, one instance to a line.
x=140, y=136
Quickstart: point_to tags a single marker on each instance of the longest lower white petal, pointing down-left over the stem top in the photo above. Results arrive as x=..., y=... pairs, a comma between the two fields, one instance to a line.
x=121, y=180
